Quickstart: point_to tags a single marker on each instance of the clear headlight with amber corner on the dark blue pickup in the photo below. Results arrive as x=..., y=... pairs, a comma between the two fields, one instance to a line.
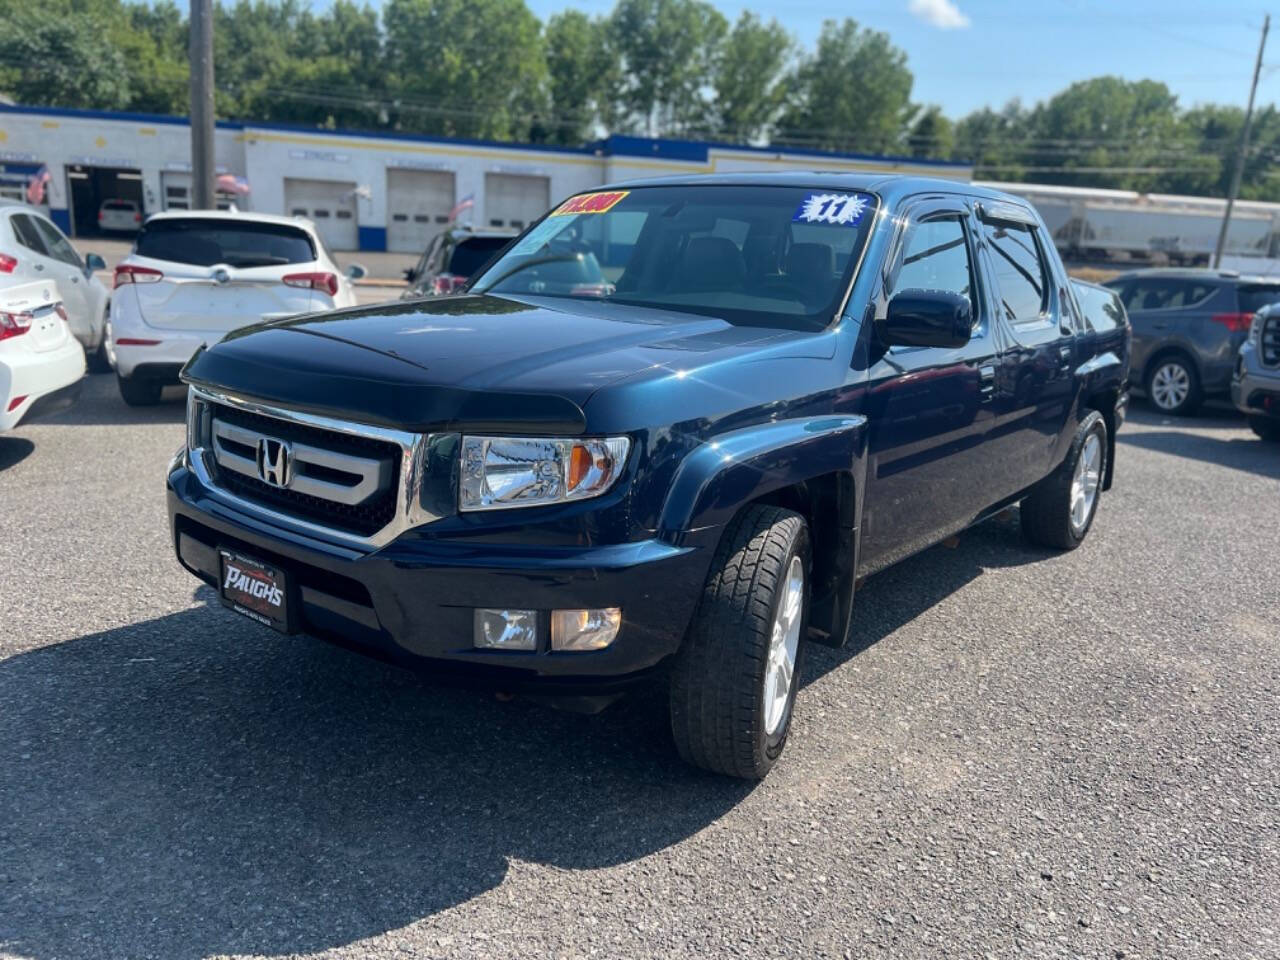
x=515, y=472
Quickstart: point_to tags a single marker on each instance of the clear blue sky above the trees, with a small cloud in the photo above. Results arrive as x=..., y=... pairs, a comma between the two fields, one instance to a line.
x=988, y=52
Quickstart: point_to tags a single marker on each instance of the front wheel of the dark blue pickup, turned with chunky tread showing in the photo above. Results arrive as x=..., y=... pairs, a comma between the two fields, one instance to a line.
x=734, y=682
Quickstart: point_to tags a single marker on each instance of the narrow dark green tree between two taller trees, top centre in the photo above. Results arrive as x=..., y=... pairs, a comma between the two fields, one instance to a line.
x=580, y=72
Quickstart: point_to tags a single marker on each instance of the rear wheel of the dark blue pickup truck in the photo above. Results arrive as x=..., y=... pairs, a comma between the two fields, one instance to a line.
x=1060, y=510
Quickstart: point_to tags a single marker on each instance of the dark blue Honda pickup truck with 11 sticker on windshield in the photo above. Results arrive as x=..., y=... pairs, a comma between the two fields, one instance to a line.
x=664, y=435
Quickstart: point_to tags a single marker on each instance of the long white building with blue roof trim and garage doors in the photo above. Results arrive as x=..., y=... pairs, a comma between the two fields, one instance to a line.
x=364, y=191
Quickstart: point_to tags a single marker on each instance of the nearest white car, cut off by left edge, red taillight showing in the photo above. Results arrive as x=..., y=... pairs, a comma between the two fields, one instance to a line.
x=40, y=362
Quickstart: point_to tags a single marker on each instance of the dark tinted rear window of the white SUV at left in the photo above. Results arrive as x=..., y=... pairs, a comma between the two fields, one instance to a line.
x=204, y=243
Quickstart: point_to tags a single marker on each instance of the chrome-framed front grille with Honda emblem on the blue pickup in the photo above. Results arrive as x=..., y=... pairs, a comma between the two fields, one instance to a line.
x=348, y=482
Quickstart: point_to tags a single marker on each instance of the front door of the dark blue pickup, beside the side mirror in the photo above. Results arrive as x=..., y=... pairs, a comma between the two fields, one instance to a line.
x=930, y=409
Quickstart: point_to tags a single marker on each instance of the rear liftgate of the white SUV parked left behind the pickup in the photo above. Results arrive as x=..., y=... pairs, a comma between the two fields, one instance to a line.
x=221, y=275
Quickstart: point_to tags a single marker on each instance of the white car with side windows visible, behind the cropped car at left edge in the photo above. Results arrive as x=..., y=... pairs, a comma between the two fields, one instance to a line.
x=34, y=249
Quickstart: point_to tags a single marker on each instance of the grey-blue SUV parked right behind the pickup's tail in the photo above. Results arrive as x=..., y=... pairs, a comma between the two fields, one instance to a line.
x=1188, y=327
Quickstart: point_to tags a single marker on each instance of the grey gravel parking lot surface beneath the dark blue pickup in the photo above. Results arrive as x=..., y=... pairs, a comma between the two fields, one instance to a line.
x=1023, y=755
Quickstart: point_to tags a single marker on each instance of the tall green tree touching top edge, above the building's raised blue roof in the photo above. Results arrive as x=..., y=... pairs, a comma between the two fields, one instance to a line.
x=668, y=52
